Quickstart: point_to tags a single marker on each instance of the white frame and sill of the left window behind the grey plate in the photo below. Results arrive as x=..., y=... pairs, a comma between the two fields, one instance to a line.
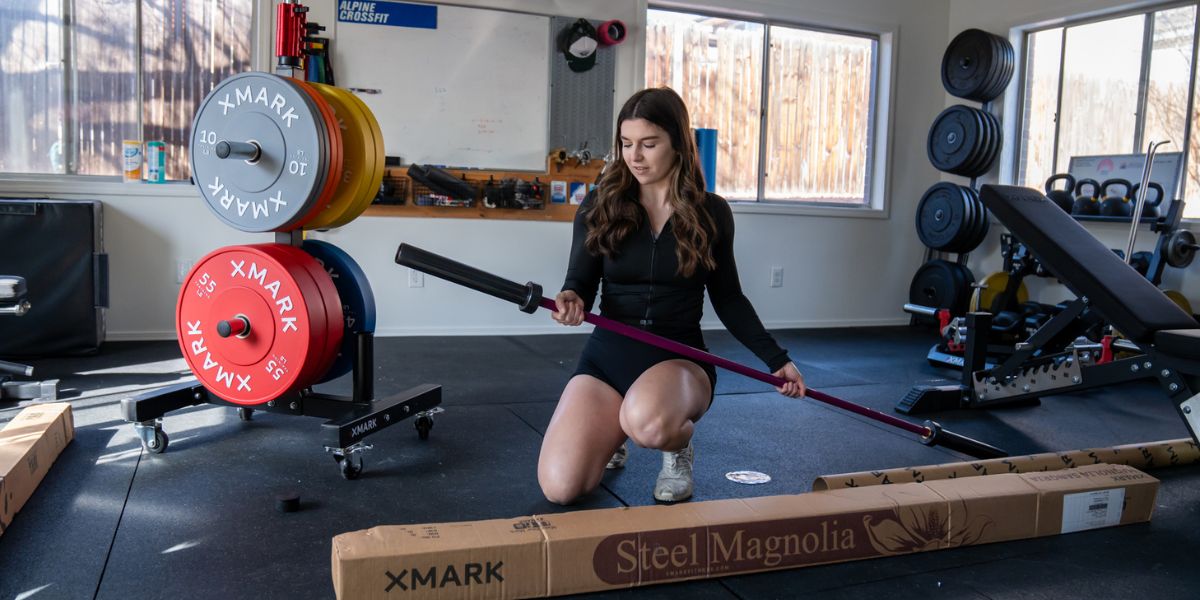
x=69, y=184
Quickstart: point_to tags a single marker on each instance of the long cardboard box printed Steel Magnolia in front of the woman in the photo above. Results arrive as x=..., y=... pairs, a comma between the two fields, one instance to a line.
x=596, y=550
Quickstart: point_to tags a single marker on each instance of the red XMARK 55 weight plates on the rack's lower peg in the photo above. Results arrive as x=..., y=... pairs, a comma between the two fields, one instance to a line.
x=287, y=327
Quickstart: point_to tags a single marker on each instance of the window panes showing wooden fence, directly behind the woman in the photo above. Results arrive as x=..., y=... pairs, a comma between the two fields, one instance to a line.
x=818, y=94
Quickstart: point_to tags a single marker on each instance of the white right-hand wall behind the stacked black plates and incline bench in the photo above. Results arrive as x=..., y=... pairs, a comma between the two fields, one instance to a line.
x=1001, y=19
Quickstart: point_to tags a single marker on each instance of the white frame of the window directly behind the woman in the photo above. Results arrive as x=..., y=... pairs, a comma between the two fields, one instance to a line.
x=879, y=139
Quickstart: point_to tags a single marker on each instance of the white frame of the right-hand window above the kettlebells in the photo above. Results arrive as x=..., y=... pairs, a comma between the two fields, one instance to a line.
x=1139, y=145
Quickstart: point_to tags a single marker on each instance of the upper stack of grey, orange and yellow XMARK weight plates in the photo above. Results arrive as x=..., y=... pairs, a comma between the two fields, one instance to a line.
x=273, y=154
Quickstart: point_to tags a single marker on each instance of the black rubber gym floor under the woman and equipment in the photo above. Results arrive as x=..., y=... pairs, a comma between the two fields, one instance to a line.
x=199, y=521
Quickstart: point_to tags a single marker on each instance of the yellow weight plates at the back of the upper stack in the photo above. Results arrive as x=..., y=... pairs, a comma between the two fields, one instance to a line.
x=356, y=176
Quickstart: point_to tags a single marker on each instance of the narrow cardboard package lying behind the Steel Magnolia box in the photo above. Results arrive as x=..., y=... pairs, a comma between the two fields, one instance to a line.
x=1154, y=455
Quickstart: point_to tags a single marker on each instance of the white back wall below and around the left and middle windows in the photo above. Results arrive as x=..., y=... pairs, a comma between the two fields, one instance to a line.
x=838, y=271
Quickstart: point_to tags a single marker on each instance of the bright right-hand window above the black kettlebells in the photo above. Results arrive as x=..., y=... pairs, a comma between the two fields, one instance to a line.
x=1112, y=87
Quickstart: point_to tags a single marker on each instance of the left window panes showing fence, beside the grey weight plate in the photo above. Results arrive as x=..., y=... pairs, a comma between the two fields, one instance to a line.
x=79, y=79
